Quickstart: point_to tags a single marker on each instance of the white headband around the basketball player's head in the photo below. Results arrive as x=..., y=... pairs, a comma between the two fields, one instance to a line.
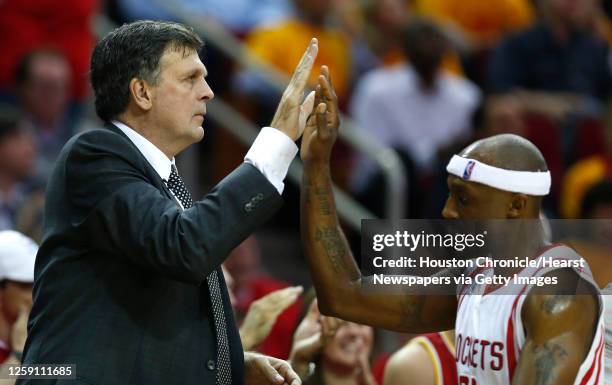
x=526, y=182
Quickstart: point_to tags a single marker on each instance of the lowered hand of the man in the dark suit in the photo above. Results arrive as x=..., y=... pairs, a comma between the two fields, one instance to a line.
x=265, y=370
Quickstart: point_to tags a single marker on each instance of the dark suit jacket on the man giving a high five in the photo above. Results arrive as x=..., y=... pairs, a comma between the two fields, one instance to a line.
x=119, y=275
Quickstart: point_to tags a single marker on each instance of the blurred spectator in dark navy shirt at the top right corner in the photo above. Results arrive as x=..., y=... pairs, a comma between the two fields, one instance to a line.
x=559, y=55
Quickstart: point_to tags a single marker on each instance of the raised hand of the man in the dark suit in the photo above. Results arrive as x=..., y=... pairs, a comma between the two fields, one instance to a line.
x=292, y=112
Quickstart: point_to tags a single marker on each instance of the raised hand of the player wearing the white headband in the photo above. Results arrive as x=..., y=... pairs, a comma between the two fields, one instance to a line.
x=322, y=126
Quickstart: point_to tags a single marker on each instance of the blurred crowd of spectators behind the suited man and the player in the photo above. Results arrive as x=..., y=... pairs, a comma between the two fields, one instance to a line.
x=424, y=77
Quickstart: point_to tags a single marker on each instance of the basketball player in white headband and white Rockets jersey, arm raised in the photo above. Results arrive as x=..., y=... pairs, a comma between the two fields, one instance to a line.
x=534, y=337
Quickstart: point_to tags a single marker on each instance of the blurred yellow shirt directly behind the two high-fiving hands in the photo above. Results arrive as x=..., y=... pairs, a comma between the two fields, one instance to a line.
x=282, y=45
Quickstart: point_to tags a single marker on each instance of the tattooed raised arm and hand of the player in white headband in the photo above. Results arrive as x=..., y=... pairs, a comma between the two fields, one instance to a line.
x=334, y=272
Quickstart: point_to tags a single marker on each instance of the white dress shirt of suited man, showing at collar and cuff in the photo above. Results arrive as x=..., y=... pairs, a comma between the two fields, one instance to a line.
x=271, y=153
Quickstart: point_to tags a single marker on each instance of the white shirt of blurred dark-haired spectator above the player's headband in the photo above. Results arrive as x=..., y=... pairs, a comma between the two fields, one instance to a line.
x=392, y=107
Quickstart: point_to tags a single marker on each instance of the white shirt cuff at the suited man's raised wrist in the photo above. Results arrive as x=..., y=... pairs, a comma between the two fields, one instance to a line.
x=272, y=153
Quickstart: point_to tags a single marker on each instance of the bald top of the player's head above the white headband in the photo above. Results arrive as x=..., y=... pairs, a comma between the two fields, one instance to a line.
x=507, y=151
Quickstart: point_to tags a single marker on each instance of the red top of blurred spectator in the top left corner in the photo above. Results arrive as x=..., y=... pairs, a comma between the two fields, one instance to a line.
x=66, y=26
